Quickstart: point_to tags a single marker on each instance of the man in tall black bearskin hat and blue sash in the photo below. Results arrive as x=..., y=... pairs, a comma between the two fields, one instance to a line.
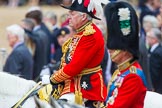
x=127, y=88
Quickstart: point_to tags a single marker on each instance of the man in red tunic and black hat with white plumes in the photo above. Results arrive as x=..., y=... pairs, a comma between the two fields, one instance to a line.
x=80, y=68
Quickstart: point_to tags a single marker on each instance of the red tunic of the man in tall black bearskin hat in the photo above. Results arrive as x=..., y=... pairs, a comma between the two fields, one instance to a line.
x=130, y=93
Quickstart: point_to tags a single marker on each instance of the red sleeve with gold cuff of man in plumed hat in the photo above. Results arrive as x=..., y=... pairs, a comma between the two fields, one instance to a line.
x=88, y=54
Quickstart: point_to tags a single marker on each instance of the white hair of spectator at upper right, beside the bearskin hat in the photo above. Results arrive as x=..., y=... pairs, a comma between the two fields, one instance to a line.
x=152, y=19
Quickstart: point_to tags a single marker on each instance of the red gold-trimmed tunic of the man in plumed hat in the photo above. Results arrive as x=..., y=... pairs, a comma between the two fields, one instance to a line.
x=85, y=51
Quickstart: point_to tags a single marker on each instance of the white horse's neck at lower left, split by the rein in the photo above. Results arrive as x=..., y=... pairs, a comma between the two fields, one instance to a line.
x=13, y=88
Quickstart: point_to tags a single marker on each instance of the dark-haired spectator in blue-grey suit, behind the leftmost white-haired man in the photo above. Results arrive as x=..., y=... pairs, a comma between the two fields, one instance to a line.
x=36, y=16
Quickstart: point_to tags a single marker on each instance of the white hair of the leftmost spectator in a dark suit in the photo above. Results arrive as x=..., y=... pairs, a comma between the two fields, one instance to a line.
x=17, y=31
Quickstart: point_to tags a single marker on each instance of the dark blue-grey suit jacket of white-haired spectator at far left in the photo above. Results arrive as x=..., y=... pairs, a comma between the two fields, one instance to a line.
x=20, y=62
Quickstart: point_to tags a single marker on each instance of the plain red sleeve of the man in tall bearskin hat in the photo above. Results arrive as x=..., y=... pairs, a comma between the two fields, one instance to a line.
x=131, y=94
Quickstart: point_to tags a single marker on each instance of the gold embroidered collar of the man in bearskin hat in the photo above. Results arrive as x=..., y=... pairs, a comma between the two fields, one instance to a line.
x=125, y=64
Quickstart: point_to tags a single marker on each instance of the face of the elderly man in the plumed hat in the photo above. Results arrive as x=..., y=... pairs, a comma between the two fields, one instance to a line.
x=74, y=19
